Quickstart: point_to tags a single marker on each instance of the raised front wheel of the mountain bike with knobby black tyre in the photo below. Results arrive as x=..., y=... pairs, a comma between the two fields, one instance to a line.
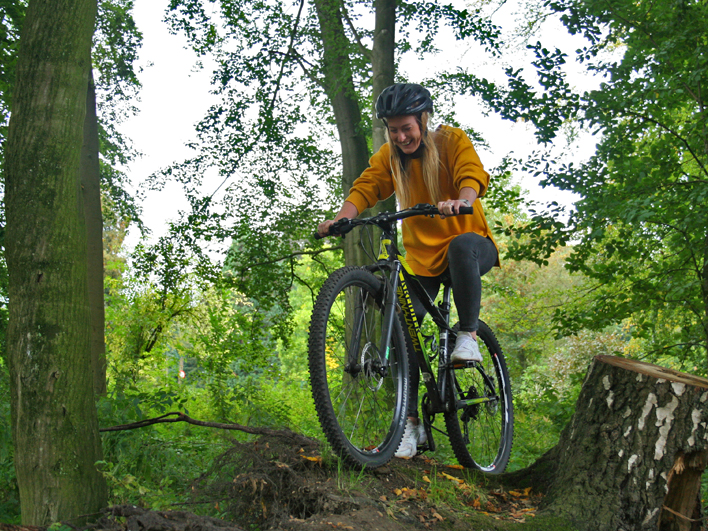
x=360, y=393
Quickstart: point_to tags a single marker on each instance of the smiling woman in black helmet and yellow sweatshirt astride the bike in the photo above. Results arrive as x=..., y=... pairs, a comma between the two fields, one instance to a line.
x=439, y=167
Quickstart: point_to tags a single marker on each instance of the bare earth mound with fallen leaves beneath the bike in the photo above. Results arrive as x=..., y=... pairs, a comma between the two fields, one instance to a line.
x=280, y=484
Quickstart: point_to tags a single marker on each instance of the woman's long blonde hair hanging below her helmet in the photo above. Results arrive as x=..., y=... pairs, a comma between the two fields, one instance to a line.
x=430, y=165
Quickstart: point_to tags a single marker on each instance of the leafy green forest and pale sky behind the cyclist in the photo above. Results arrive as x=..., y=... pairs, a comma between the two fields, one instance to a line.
x=210, y=315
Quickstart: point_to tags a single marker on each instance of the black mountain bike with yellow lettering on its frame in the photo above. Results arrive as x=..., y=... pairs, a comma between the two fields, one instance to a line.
x=359, y=363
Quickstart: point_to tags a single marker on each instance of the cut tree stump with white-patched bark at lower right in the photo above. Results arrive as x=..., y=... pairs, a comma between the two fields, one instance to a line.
x=632, y=456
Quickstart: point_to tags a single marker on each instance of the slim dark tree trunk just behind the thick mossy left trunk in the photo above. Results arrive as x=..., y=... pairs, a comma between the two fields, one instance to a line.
x=91, y=187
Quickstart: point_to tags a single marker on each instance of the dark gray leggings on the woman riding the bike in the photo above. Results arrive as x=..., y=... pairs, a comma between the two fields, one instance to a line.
x=469, y=257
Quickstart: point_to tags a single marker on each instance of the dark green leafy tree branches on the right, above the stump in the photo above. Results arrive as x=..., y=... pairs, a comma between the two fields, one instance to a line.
x=640, y=226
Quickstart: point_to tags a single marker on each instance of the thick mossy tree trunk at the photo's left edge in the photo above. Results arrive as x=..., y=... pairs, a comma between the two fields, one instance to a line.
x=54, y=422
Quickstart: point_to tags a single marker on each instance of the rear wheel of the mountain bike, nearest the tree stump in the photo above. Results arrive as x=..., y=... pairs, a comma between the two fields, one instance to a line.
x=481, y=427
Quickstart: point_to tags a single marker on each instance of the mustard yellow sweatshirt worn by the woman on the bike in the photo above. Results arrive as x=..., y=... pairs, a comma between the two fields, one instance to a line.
x=426, y=239
